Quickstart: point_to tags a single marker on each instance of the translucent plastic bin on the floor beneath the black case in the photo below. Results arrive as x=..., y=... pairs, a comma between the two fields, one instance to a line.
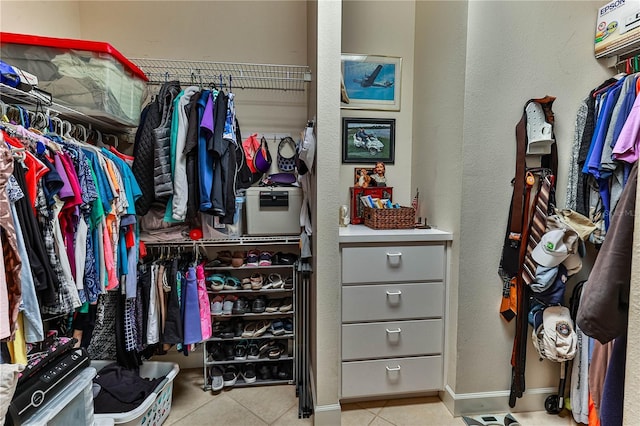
x=72, y=405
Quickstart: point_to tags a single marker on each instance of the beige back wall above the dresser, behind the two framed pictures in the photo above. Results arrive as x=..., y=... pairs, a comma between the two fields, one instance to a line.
x=362, y=32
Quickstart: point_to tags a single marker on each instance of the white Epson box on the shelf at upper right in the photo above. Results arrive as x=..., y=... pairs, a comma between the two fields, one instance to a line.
x=617, y=28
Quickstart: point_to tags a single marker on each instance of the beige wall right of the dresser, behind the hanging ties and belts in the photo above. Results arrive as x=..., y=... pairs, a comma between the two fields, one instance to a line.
x=515, y=51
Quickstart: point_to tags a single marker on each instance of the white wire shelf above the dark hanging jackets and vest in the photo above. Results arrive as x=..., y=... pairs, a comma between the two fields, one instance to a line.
x=229, y=75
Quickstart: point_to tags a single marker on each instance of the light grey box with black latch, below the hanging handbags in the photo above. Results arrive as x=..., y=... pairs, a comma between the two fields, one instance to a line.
x=273, y=210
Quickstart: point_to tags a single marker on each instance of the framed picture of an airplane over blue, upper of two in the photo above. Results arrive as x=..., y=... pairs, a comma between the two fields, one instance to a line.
x=371, y=82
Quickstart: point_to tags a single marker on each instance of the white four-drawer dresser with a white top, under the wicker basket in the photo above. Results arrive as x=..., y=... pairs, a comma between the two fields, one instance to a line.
x=393, y=310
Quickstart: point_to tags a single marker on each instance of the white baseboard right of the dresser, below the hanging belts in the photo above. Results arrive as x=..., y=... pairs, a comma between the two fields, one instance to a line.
x=474, y=403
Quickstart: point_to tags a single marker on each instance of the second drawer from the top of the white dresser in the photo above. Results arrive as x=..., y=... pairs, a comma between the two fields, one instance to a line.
x=392, y=301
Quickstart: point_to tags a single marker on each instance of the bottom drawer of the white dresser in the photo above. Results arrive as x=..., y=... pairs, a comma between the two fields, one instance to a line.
x=391, y=376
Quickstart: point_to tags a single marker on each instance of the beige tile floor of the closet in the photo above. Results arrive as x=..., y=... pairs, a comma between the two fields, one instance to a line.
x=278, y=406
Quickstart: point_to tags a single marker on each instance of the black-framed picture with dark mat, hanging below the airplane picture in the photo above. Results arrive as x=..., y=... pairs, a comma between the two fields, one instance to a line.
x=368, y=140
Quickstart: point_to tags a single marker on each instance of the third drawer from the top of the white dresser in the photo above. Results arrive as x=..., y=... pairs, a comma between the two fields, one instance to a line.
x=391, y=339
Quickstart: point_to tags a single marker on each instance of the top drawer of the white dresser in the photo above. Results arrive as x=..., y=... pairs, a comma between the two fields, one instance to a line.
x=394, y=263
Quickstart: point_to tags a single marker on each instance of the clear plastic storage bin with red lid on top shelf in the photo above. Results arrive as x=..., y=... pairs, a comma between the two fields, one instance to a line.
x=90, y=77
